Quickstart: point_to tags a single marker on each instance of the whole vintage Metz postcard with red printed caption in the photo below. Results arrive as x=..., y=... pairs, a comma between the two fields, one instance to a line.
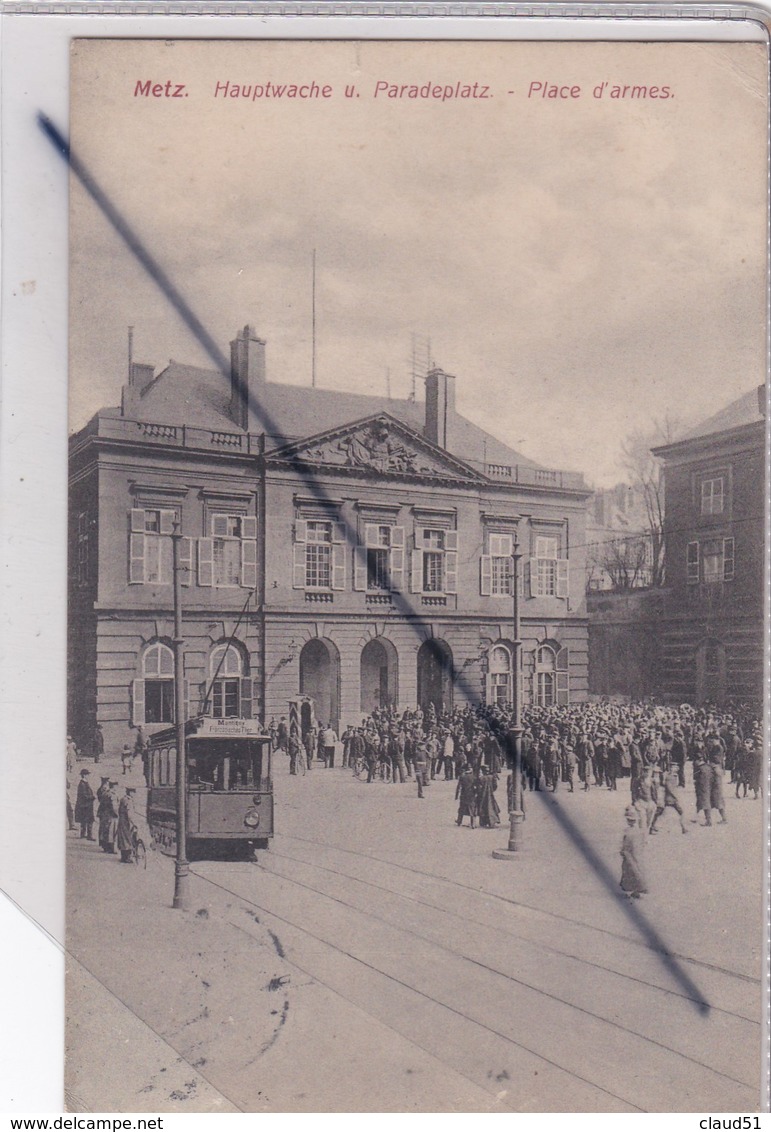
x=418, y=409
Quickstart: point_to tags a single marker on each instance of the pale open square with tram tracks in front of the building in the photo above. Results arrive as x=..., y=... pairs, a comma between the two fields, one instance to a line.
x=378, y=958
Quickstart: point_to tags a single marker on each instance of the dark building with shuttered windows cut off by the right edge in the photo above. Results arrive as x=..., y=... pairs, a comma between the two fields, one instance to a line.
x=713, y=630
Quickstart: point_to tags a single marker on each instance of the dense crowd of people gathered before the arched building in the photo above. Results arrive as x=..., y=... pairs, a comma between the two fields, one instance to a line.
x=642, y=747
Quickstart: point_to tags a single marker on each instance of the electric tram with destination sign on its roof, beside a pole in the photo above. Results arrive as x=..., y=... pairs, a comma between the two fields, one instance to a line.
x=229, y=795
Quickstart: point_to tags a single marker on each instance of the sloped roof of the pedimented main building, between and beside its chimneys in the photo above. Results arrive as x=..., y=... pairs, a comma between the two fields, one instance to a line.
x=201, y=398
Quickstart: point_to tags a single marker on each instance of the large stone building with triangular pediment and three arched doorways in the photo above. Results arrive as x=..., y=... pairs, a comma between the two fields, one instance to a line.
x=347, y=548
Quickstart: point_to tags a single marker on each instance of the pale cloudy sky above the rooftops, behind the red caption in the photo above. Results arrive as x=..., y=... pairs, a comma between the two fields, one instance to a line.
x=582, y=265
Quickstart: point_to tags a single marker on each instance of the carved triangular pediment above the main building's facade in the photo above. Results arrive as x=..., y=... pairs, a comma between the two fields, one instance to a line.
x=379, y=445
